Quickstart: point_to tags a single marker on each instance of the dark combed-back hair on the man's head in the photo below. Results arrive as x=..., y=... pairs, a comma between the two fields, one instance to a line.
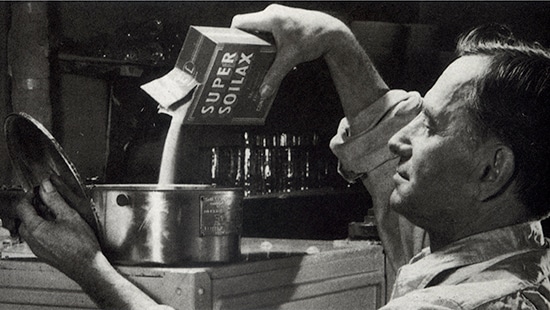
x=512, y=103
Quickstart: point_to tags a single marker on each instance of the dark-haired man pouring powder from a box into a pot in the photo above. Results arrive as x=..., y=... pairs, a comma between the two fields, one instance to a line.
x=468, y=164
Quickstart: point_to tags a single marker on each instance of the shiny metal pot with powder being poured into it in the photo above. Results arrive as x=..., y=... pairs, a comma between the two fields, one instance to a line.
x=169, y=225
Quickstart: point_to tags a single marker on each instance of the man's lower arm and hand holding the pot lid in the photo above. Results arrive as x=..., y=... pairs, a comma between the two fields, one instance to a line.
x=69, y=244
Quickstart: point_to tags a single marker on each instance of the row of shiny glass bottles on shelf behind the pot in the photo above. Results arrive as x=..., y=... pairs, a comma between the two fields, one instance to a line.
x=273, y=163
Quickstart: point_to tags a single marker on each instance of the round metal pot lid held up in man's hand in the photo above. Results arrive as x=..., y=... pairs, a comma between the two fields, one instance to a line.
x=36, y=155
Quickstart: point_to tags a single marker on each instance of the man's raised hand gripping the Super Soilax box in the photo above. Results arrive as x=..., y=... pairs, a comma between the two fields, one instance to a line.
x=300, y=35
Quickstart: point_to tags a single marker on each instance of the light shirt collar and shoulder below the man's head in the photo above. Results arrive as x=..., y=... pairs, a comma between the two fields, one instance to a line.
x=507, y=268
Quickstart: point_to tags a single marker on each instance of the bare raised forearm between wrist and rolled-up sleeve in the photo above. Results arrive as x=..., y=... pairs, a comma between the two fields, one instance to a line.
x=354, y=75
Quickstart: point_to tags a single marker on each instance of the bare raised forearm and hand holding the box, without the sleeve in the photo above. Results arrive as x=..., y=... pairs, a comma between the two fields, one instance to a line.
x=303, y=35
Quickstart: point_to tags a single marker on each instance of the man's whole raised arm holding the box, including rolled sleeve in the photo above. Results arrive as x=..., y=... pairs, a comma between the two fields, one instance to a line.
x=303, y=35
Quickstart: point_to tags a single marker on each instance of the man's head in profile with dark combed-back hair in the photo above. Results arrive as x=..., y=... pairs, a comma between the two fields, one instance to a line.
x=482, y=133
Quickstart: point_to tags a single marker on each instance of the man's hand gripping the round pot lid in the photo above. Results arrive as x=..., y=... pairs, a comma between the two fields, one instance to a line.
x=65, y=242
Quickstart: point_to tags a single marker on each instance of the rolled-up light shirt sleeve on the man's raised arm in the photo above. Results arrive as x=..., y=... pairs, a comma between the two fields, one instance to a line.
x=361, y=147
